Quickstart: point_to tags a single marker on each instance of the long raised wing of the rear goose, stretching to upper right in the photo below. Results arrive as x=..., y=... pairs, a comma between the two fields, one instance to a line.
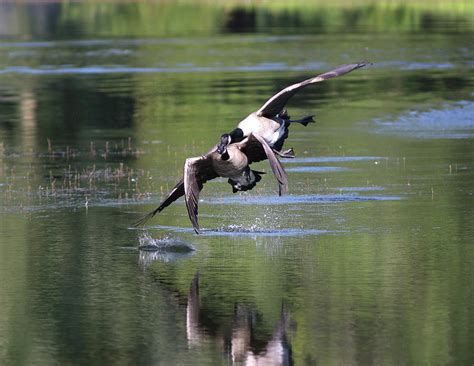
x=275, y=104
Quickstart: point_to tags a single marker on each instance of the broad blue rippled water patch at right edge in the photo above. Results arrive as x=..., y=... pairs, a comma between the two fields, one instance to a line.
x=454, y=121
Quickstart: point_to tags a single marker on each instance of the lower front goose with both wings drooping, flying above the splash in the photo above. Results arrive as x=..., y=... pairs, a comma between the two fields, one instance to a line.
x=231, y=162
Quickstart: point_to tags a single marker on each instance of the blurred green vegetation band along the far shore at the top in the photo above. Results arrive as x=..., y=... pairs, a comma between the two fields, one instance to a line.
x=201, y=18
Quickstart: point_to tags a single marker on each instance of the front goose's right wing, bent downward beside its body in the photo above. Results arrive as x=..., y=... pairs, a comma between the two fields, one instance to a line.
x=257, y=149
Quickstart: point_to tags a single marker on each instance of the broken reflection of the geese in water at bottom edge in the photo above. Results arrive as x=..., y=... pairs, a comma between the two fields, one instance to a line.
x=239, y=345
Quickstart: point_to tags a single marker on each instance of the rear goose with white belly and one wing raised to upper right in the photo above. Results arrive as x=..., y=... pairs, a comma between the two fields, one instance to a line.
x=271, y=121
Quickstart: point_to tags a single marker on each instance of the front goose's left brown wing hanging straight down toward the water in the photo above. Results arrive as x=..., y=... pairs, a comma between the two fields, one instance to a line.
x=197, y=171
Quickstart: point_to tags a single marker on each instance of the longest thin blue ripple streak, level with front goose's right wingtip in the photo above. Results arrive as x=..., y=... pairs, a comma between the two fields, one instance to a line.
x=299, y=199
